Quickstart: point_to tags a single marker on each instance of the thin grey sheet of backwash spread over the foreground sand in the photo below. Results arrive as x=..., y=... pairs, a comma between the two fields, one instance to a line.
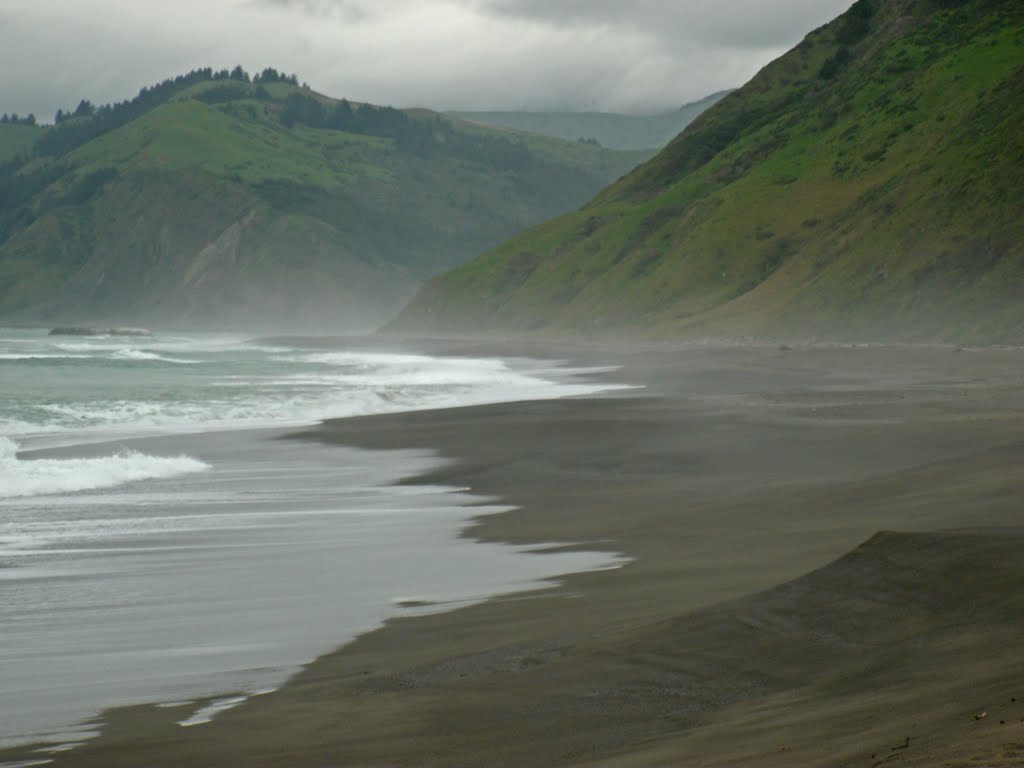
x=400, y=532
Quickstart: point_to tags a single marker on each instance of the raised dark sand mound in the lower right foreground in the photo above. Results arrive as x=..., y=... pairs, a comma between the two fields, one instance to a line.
x=891, y=654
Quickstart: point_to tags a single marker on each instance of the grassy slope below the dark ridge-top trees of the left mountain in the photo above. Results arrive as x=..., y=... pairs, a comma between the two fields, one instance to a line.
x=350, y=212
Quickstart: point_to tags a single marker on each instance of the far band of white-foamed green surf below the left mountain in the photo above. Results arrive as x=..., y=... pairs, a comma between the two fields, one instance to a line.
x=135, y=388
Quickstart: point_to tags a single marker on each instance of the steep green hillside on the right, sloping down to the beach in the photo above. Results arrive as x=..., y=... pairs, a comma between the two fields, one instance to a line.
x=870, y=184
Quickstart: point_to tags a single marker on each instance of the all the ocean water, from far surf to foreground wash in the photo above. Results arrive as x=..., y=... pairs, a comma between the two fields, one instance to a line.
x=159, y=542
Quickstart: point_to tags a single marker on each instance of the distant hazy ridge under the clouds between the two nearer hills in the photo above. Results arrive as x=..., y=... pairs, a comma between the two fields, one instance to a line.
x=609, y=130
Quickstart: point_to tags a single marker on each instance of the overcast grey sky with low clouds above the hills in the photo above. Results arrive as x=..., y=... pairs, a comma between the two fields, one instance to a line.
x=623, y=56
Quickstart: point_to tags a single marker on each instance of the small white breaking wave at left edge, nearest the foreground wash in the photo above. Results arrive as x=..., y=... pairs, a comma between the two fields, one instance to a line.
x=47, y=477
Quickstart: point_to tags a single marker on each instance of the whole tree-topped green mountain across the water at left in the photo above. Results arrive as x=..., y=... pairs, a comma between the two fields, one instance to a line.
x=222, y=199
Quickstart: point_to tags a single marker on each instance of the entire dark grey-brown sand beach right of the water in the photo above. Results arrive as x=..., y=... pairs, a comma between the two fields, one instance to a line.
x=765, y=621
